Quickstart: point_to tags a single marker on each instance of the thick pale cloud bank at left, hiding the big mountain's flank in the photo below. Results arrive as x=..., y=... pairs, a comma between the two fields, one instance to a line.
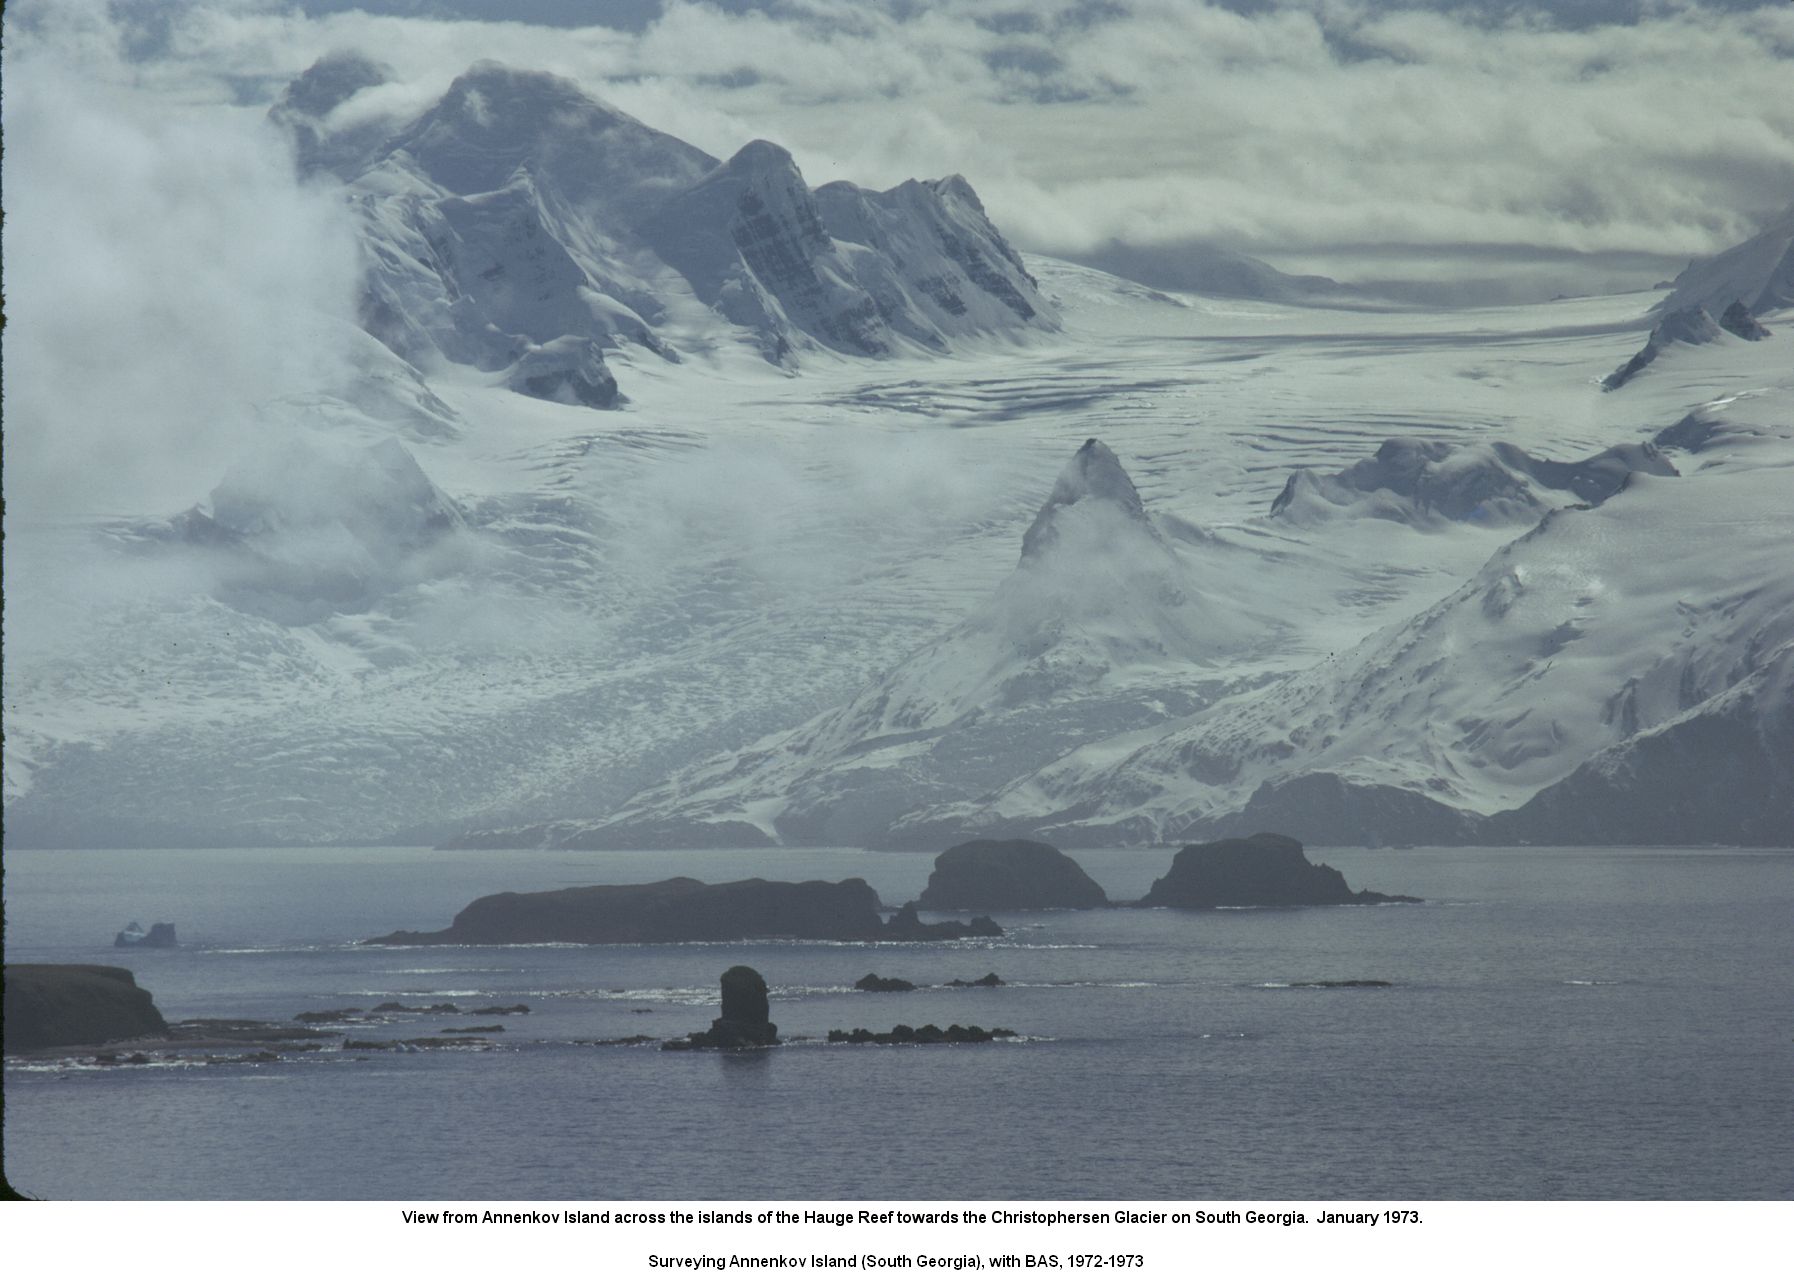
x=166, y=273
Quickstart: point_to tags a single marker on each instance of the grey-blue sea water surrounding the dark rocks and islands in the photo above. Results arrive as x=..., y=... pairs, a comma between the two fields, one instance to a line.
x=1562, y=1025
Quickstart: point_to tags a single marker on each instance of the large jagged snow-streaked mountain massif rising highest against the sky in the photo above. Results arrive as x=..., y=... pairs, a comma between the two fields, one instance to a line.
x=519, y=221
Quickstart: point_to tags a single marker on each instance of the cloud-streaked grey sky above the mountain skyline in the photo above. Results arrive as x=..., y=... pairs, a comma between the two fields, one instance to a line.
x=1589, y=144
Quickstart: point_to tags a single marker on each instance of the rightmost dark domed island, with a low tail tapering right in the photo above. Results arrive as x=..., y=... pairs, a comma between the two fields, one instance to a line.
x=1258, y=870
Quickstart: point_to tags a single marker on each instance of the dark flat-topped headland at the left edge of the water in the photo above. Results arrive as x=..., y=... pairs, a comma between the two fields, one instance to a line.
x=76, y=1005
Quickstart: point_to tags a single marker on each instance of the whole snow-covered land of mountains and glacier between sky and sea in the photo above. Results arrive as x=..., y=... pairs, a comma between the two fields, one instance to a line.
x=670, y=501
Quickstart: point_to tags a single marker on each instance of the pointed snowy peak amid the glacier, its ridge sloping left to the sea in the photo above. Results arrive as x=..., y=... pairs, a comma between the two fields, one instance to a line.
x=1101, y=628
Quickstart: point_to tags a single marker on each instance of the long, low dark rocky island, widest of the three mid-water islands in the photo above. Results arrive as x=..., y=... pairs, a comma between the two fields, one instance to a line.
x=686, y=910
